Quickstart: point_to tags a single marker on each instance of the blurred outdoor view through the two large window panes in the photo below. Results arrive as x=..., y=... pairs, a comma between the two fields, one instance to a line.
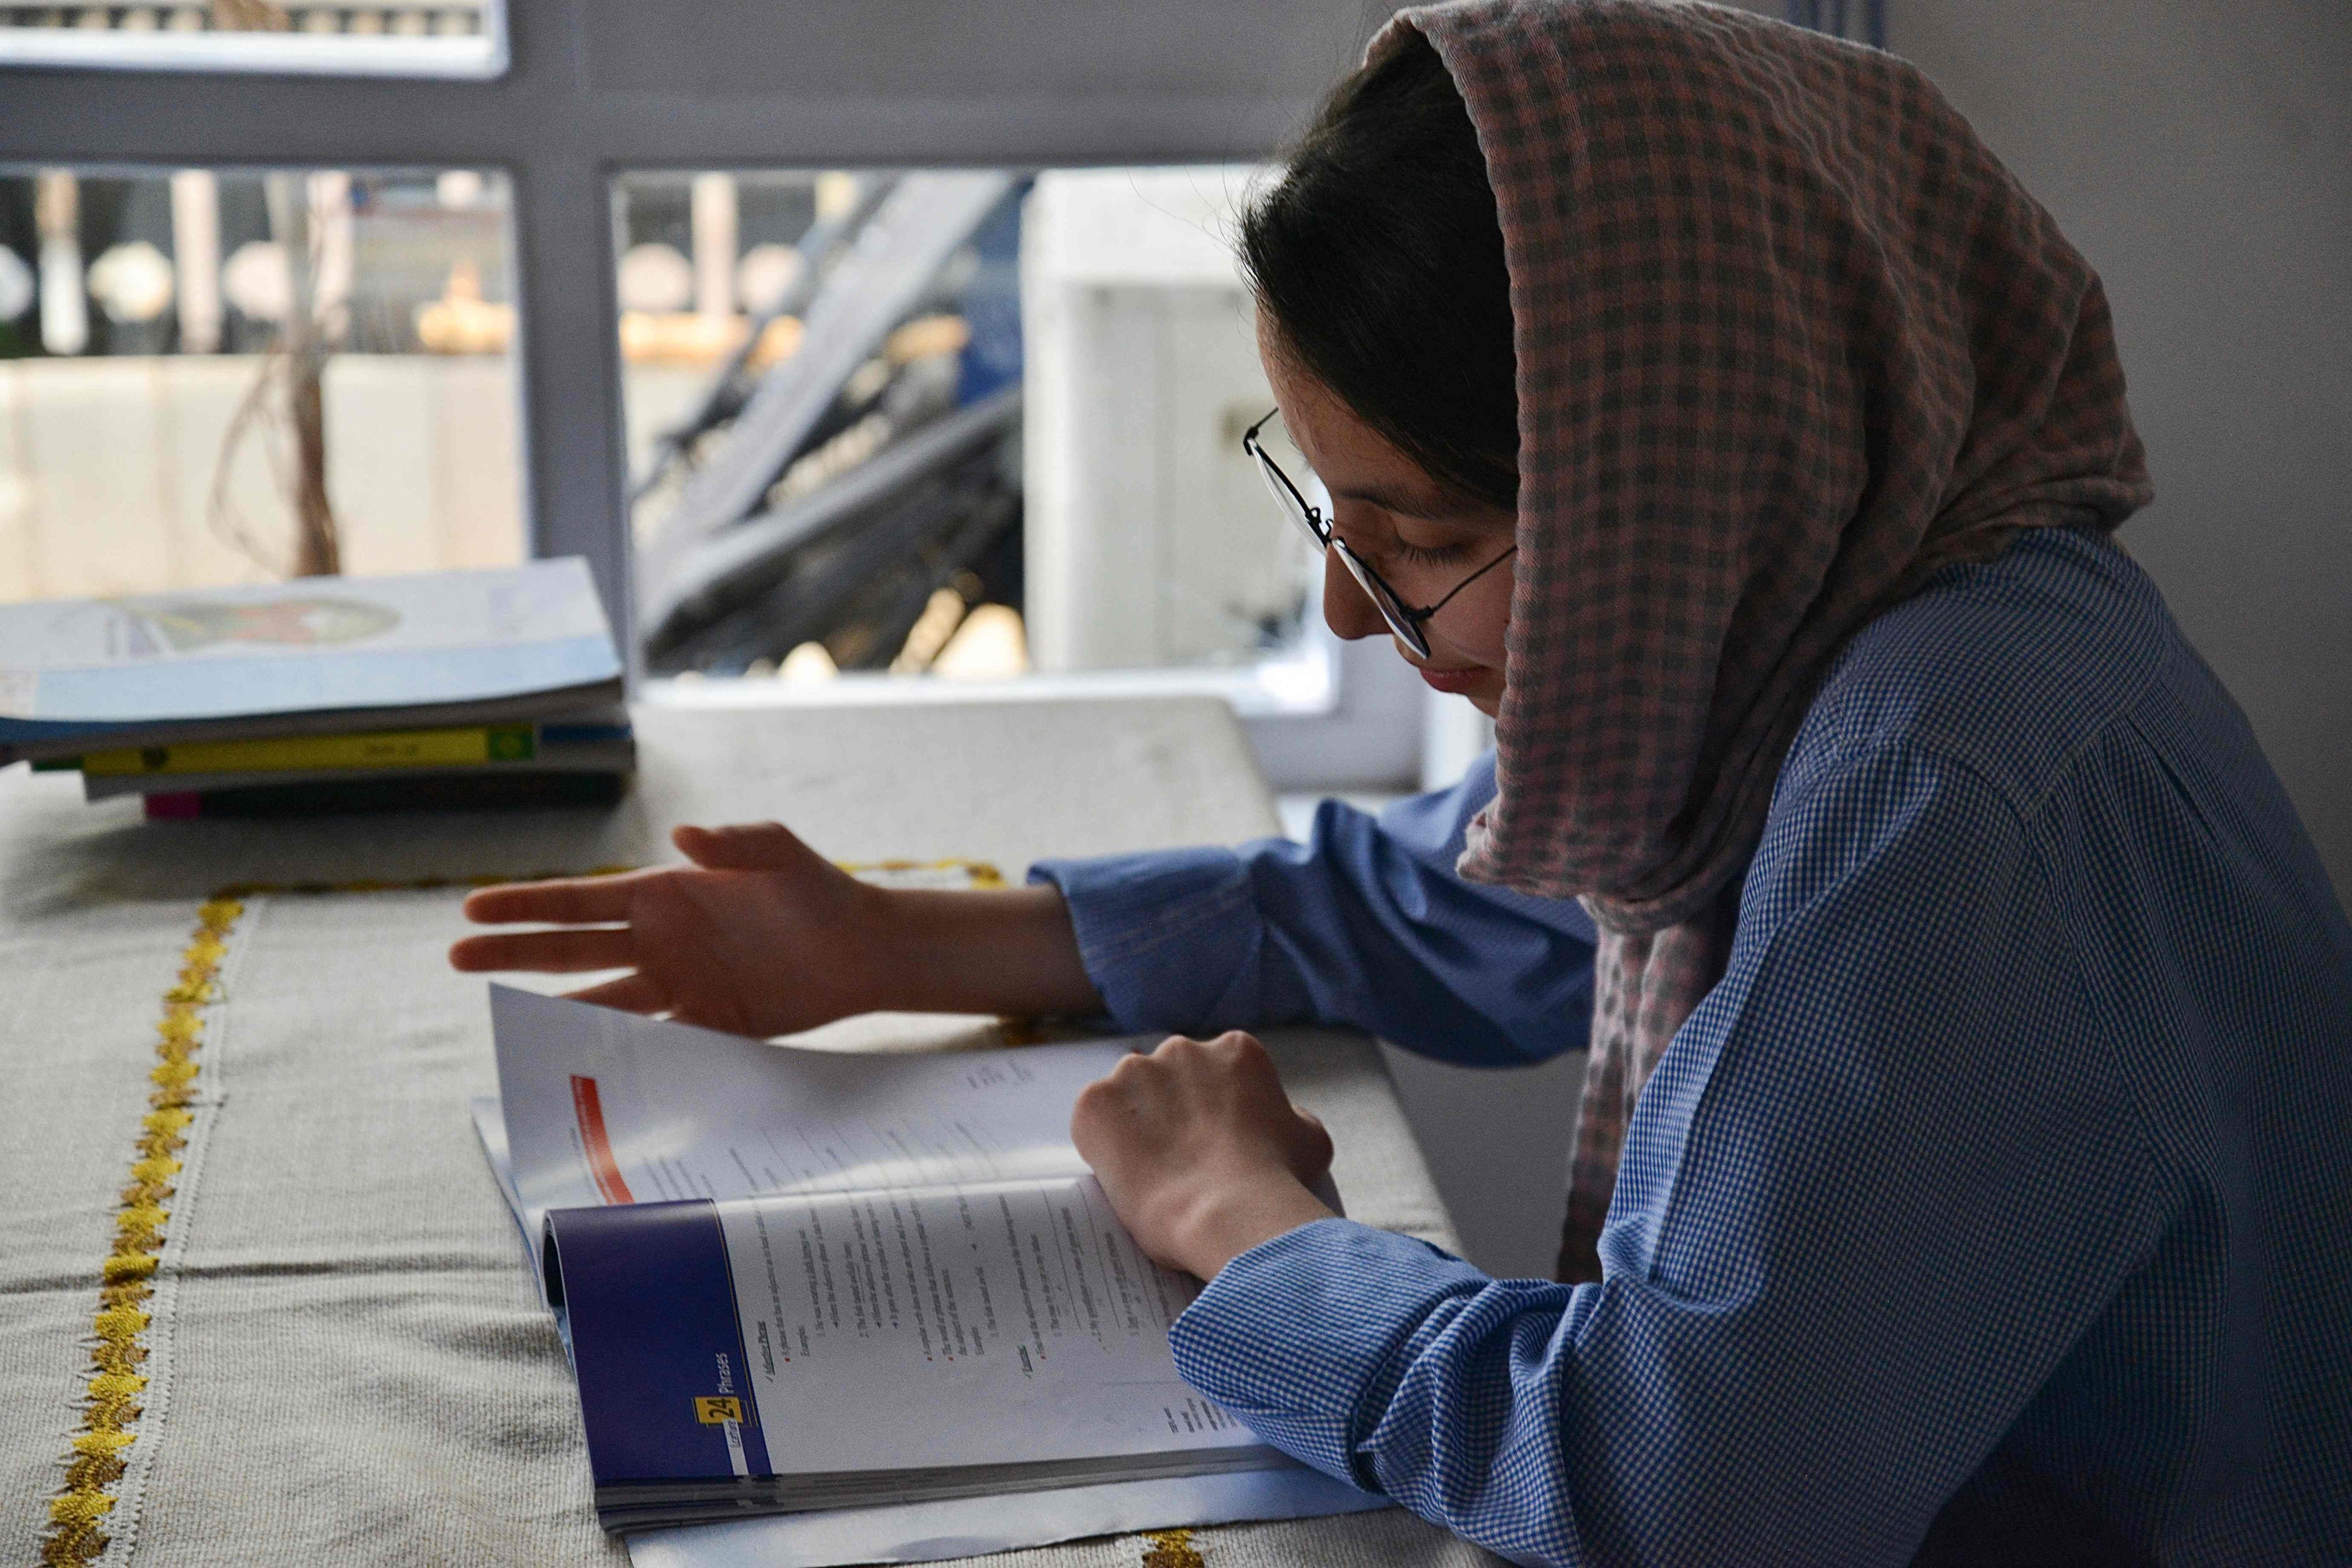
x=857, y=406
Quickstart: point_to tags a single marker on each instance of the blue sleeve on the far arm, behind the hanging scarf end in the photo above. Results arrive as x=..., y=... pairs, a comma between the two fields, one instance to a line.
x=1365, y=925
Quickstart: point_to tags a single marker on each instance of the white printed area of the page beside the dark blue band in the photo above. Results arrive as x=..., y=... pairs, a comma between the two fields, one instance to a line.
x=918, y=1329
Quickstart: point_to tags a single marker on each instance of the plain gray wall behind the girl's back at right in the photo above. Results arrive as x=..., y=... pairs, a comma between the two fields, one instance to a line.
x=2203, y=156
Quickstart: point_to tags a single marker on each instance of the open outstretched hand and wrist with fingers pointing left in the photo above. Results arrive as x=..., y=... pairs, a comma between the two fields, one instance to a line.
x=766, y=937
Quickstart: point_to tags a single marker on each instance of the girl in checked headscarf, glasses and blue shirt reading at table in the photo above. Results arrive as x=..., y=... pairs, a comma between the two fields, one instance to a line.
x=1960, y=1172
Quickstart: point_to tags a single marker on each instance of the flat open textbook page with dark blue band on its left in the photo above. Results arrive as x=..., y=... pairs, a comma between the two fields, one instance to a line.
x=862, y=1339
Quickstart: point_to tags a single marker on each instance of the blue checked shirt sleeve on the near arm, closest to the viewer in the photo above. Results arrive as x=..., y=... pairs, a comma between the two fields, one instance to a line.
x=1880, y=1184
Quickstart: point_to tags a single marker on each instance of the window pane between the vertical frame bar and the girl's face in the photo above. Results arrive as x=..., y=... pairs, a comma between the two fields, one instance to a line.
x=949, y=422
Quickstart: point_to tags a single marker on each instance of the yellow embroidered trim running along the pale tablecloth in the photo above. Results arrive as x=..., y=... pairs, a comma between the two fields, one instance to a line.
x=95, y=1456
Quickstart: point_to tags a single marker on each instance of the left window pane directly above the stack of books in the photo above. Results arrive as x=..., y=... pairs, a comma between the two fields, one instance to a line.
x=227, y=377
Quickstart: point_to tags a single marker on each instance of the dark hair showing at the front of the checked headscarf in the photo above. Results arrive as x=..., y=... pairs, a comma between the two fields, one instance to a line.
x=1382, y=264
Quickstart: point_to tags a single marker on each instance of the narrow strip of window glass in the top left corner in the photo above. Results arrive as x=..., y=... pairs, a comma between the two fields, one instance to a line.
x=455, y=39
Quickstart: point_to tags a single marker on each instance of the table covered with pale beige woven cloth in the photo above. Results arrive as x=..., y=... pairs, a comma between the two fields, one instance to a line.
x=342, y=1355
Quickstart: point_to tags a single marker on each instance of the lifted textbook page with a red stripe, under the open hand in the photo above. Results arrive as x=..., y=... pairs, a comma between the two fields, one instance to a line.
x=615, y=1108
